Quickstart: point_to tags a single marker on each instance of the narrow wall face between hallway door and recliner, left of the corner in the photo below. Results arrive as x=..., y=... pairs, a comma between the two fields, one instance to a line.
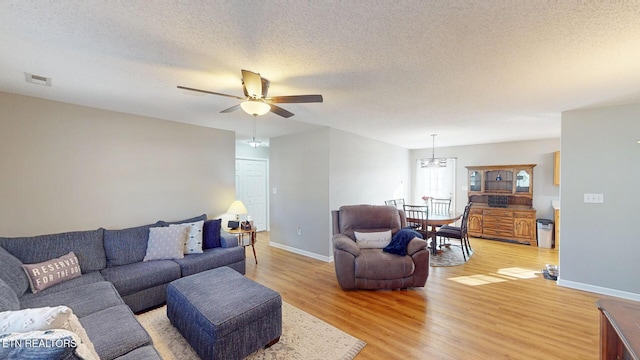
x=298, y=171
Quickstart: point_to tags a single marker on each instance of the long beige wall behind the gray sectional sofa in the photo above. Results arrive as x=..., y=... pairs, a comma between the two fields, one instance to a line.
x=65, y=167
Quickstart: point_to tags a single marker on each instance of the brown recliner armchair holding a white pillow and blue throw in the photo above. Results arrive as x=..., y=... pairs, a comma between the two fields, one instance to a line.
x=372, y=268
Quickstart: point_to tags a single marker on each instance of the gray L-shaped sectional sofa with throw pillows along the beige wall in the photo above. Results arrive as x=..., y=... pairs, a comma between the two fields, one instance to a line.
x=115, y=282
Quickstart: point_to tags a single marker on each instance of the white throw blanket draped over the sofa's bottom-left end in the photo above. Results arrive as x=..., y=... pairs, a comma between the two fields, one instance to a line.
x=35, y=320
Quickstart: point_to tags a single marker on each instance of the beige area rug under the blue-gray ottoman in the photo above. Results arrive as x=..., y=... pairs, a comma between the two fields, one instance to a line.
x=304, y=337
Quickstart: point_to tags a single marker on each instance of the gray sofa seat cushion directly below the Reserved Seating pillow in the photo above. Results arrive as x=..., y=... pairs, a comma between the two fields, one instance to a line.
x=83, y=299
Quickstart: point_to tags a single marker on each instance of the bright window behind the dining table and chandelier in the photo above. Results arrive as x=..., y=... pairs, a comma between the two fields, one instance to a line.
x=438, y=182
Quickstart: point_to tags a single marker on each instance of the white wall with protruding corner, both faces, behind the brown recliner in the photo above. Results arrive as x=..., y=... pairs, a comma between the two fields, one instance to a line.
x=318, y=171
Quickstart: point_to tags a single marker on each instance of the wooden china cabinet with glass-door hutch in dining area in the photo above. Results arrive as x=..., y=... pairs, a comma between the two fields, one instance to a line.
x=502, y=197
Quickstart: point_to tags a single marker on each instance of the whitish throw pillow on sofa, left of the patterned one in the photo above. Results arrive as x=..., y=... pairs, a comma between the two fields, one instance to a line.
x=166, y=243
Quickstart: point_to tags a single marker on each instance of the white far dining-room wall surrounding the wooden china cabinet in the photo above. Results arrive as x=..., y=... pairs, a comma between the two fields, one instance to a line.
x=539, y=152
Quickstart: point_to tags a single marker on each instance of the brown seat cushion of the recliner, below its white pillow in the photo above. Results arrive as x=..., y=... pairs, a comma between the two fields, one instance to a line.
x=375, y=264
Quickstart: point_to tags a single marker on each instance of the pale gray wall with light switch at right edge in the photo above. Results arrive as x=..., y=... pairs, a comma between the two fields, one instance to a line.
x=600, y=154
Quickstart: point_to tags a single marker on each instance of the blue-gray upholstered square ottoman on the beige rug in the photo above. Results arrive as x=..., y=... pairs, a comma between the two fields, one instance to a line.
x=224, y=315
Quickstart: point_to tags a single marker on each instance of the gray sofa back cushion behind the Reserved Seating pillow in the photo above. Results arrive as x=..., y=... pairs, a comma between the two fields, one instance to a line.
x=87, y=245
